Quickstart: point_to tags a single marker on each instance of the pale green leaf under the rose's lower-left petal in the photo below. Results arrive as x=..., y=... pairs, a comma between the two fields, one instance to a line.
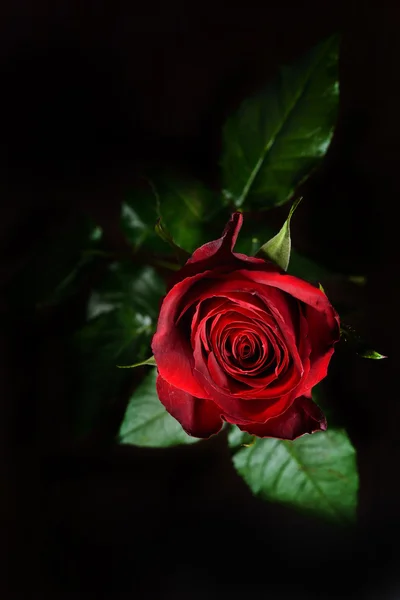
x=147, y=423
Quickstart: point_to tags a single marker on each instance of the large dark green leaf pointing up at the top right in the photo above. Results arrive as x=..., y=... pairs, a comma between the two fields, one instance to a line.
x=275, y=139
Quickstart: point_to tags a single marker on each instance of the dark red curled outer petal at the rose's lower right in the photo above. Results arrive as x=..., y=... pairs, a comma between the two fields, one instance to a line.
x=303, y=416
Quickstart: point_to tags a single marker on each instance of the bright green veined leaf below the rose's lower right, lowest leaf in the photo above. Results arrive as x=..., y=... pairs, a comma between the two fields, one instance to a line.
x=316, y=473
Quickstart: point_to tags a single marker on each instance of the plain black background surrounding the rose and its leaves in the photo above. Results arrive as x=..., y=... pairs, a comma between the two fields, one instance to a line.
x=157, y=81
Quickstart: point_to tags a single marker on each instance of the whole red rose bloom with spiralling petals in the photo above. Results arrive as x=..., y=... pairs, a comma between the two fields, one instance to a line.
x=239, y=340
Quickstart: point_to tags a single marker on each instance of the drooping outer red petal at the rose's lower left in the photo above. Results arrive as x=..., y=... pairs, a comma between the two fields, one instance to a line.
x=199, y=417
